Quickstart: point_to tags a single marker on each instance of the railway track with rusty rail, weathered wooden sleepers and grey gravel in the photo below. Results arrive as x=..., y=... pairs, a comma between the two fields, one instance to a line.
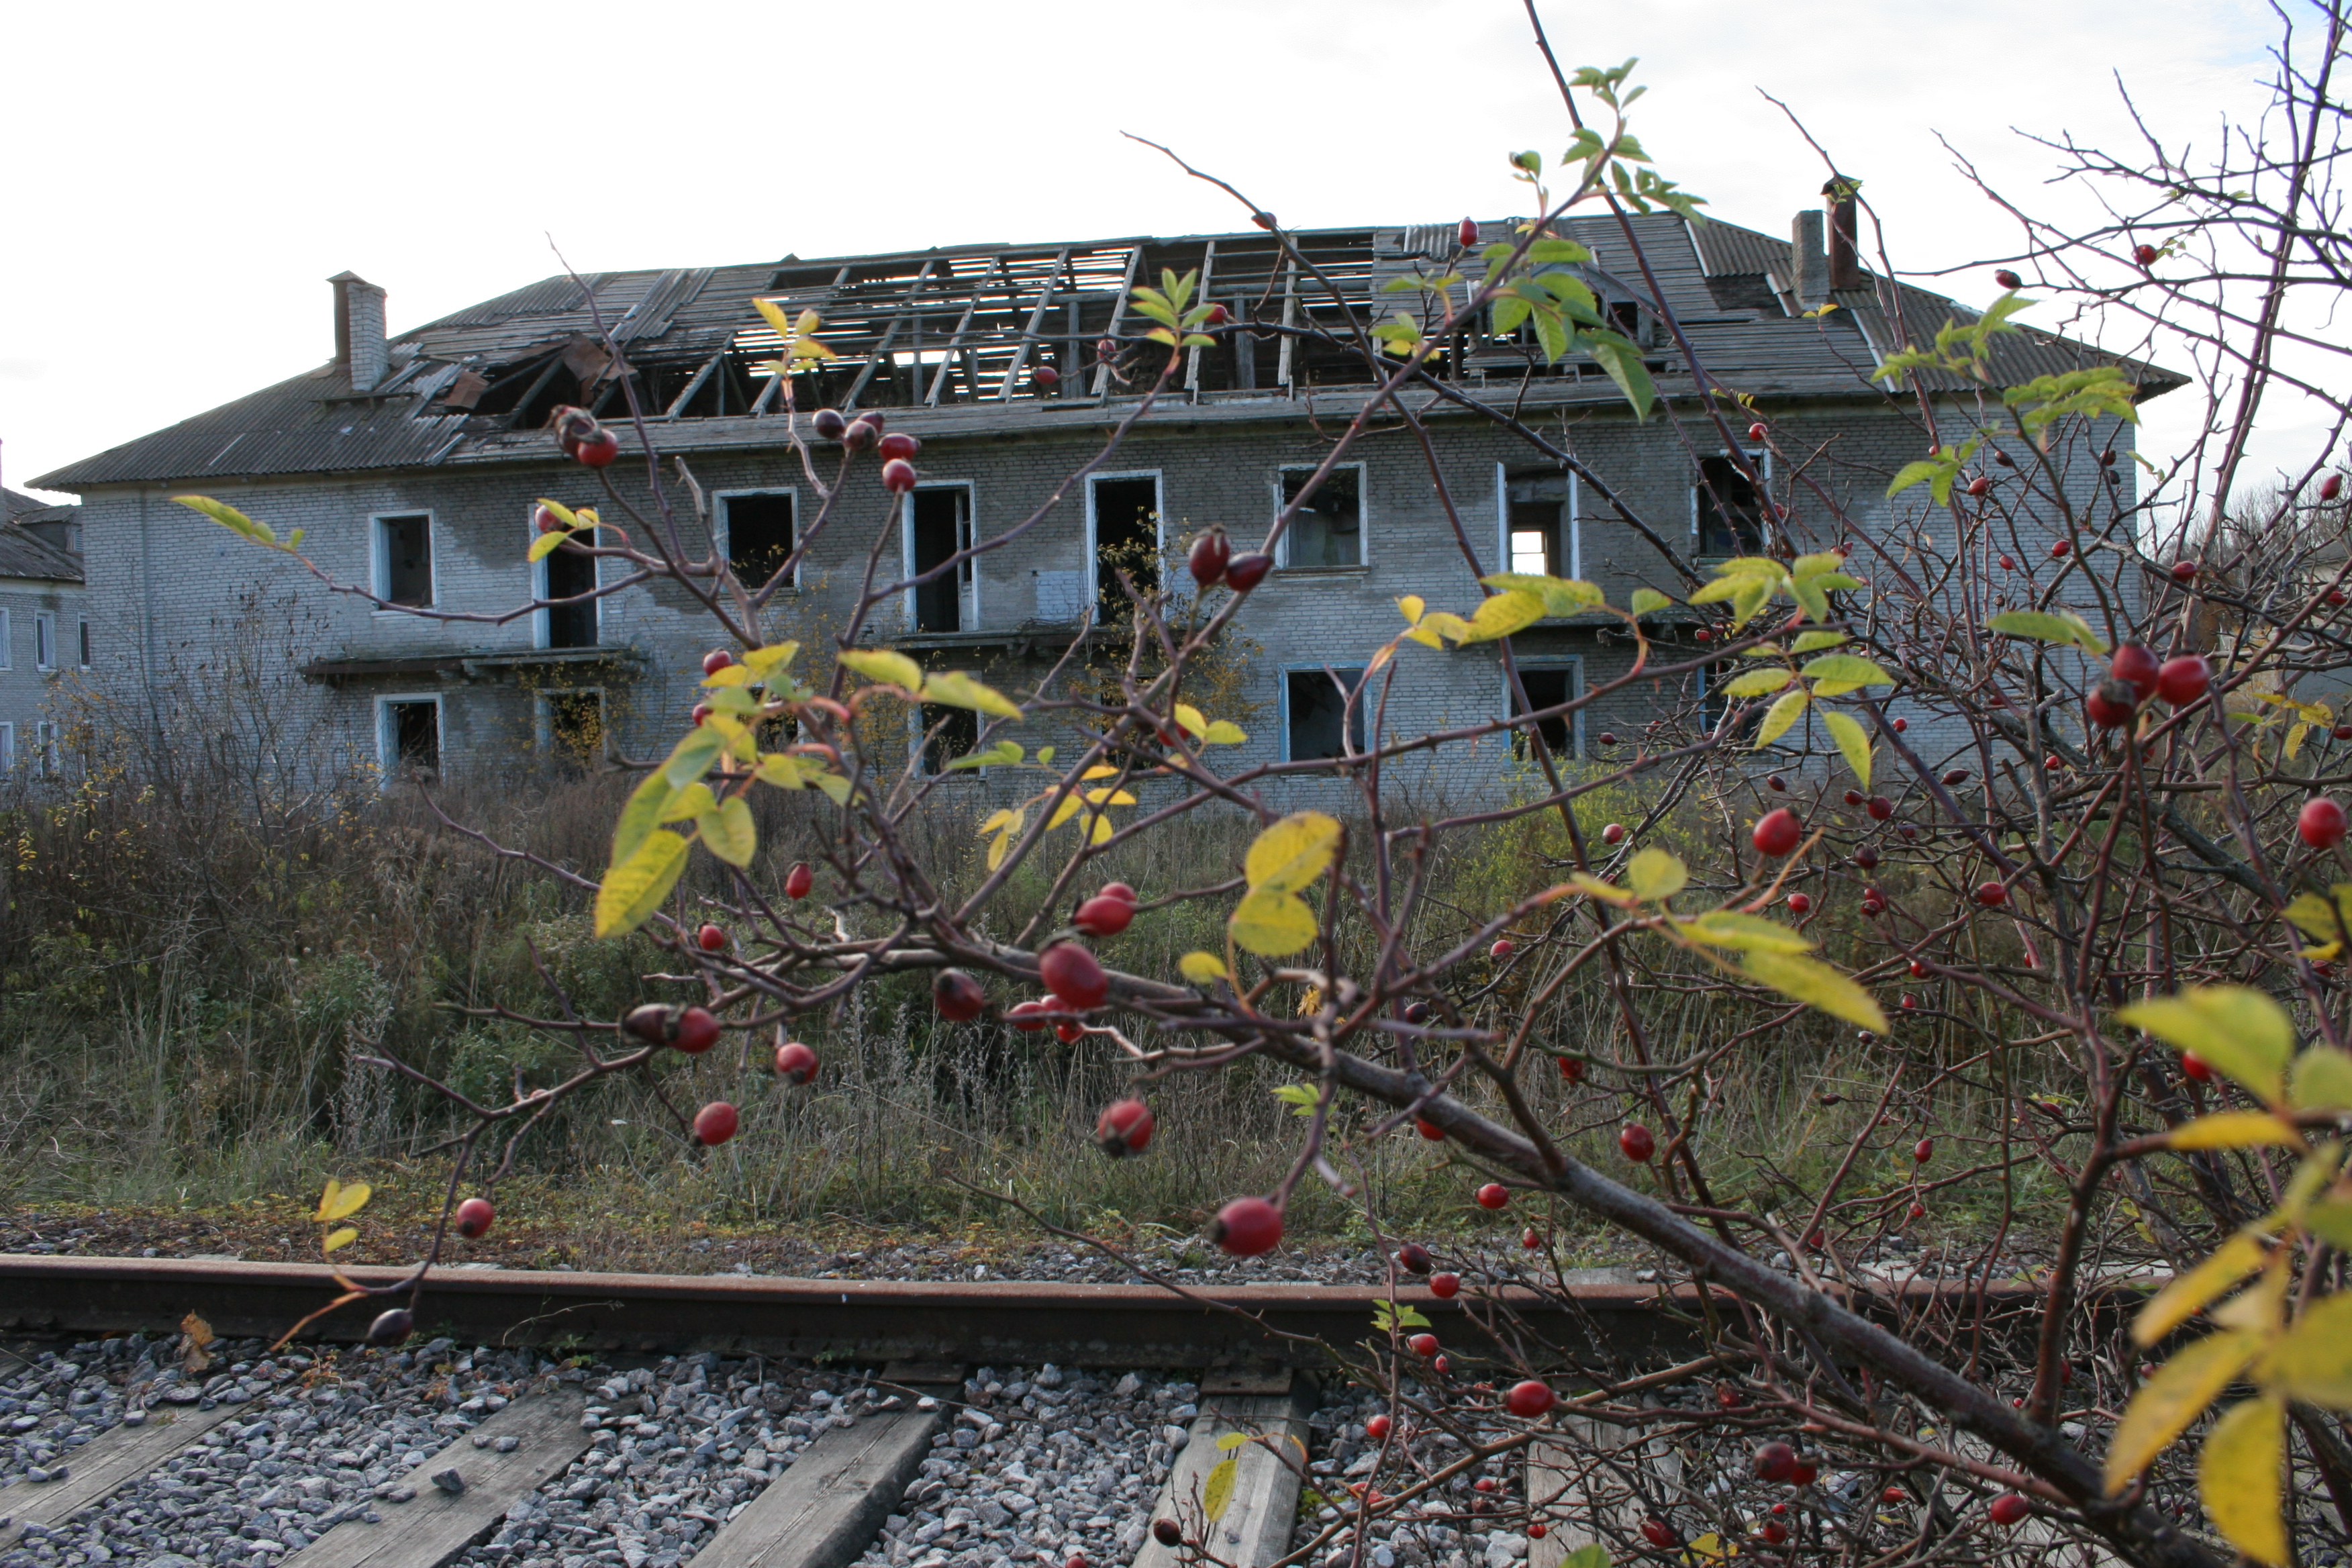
x=627, y=1421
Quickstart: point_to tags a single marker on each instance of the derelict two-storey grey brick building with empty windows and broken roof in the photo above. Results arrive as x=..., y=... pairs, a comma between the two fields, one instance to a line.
x=413, y=462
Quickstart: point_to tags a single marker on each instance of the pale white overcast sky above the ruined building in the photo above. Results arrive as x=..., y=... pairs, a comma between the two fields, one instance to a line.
x=180, y=182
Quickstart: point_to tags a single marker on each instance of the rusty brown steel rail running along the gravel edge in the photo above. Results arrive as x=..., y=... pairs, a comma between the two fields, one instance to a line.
x=1132, y=1325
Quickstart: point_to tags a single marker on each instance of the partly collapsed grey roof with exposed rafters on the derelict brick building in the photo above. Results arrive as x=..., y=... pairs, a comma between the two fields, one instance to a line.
x=994, y=337
